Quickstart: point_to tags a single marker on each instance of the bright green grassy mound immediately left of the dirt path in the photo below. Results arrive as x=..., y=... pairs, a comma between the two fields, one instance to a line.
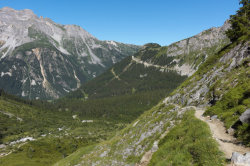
x=188, y=143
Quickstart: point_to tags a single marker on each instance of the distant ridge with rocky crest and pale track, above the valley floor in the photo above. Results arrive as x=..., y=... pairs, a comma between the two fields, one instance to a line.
x=156, y=67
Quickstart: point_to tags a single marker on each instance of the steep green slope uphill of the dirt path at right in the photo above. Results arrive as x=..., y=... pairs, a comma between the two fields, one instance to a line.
x=229, y=92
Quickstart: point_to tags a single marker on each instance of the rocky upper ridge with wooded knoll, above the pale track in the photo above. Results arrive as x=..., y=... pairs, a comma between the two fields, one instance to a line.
x=186, y=55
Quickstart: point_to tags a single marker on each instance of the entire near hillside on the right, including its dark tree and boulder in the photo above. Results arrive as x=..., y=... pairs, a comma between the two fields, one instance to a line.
x=169, y=133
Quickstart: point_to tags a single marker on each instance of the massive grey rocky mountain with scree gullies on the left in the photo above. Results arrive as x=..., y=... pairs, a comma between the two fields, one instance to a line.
x=40, y=59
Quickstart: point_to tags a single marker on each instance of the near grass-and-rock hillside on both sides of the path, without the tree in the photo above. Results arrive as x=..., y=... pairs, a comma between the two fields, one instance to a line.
x=143, y=135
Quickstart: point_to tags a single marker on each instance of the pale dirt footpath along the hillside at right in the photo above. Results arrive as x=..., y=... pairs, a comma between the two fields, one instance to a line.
x=227, y=143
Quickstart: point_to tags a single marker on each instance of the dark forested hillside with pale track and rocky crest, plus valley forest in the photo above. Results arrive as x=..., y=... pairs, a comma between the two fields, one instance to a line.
x=134, y=85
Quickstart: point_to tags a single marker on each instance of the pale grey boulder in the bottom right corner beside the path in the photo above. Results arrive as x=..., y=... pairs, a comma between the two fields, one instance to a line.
x=238, y=159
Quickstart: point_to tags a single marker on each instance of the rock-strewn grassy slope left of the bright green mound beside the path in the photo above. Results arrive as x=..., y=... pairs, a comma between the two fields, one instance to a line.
x=128, y=138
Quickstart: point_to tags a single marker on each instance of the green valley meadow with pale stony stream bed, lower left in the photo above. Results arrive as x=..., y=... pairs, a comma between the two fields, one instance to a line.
x=56, y=145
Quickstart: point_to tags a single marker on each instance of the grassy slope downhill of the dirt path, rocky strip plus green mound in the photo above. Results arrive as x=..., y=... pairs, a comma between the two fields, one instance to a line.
x=189, y=143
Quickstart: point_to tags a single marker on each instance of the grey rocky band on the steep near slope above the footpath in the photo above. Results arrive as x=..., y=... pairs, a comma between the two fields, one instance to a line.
x=206, y=89
